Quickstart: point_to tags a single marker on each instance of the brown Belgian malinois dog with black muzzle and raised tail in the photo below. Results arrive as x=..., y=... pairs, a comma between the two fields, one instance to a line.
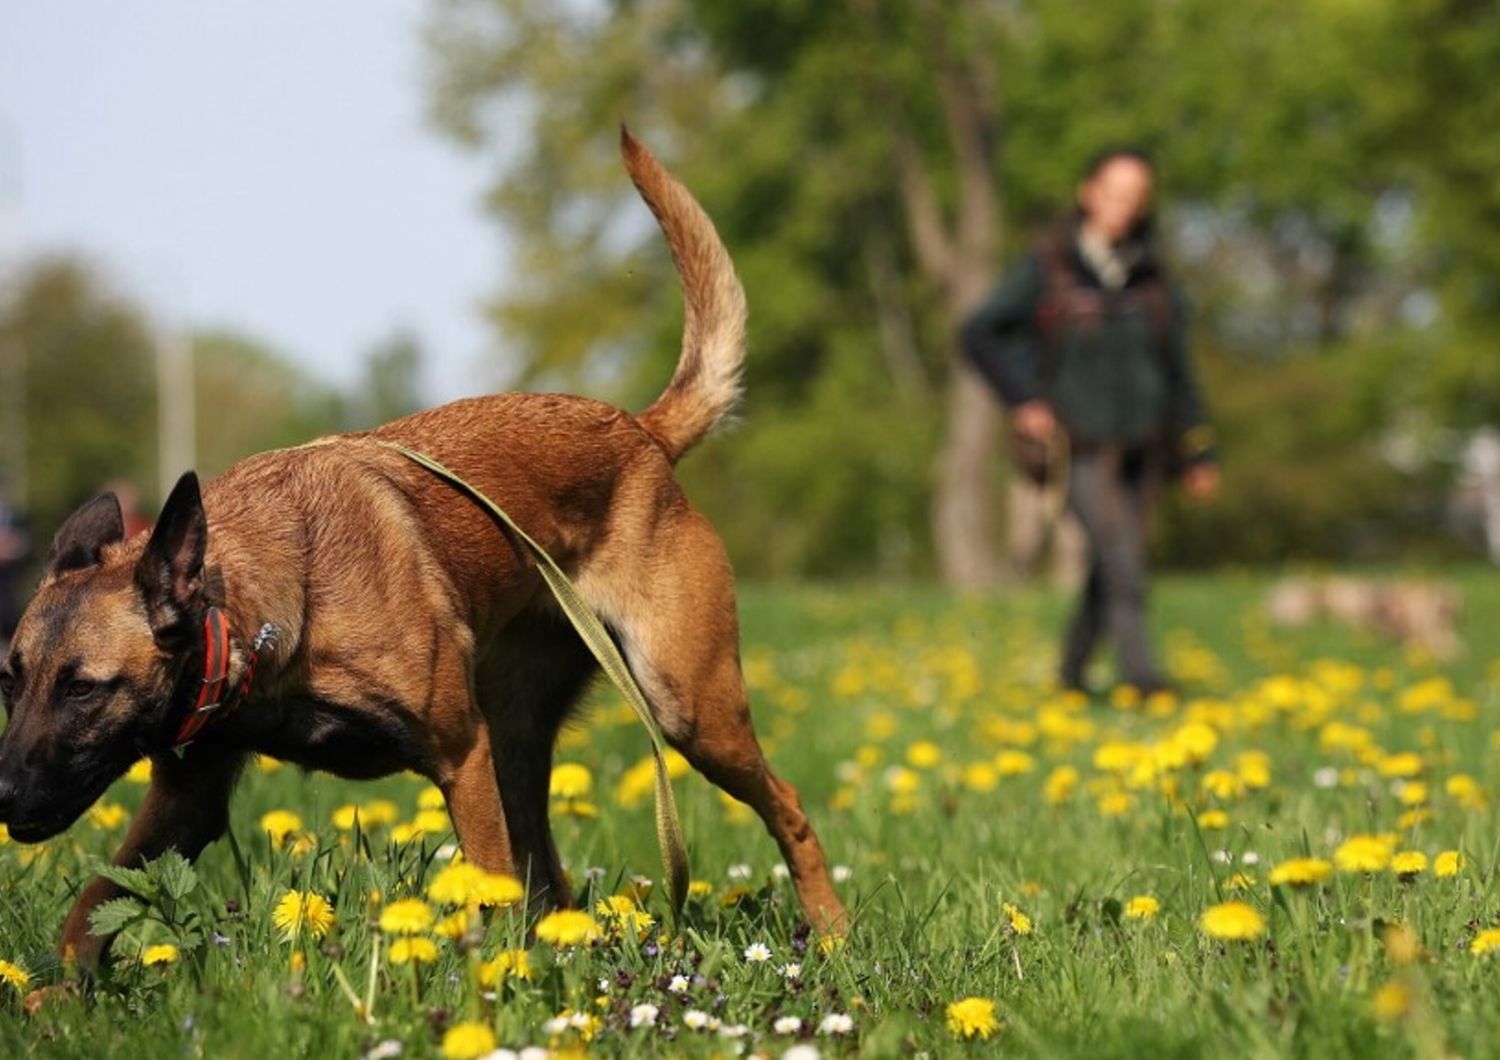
x=415, y=633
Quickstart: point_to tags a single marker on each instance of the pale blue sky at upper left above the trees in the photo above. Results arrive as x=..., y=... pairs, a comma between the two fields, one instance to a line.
x=253, y=164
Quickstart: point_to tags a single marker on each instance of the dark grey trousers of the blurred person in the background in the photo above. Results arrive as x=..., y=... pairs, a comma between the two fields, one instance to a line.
x=1112, y=490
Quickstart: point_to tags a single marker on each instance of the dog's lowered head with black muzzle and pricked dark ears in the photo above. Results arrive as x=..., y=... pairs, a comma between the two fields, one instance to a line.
x=98, y=659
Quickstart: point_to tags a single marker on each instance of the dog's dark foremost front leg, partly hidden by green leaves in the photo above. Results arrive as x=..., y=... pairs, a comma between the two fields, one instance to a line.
x=187, y=809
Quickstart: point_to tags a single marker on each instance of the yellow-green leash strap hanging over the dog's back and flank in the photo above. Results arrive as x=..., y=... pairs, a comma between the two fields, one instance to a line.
x=584, y=620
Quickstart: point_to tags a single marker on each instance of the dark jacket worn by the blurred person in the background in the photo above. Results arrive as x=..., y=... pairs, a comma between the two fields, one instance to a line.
x=1112, y=364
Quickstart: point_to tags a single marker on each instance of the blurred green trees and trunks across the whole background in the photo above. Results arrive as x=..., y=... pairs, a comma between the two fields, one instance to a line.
x=1330, y=200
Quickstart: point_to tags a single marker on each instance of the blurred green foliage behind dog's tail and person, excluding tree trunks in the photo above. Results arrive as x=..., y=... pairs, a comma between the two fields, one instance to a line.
x=1327, y=169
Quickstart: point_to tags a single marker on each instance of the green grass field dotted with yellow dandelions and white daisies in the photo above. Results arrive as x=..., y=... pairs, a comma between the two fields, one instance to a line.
x=992, y=839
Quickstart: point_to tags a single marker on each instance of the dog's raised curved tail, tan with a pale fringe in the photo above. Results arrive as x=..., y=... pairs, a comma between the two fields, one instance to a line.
x=706, y=386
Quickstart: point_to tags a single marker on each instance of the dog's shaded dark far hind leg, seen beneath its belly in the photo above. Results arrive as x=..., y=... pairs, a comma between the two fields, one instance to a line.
x=529, y=683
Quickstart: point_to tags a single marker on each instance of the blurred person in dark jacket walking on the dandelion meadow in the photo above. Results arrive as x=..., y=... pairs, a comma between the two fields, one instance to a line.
x=1085, y=341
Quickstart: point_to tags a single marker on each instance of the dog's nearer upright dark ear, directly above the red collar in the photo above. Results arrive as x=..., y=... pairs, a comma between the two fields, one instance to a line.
x=170, y=573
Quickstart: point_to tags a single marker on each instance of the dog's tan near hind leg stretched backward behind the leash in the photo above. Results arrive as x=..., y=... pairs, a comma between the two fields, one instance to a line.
x=673, y=608
